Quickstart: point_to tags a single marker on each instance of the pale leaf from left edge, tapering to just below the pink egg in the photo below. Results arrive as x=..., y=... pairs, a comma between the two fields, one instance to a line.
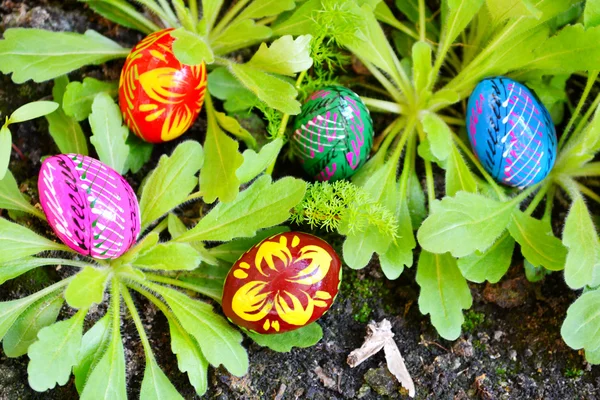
x=16, y=242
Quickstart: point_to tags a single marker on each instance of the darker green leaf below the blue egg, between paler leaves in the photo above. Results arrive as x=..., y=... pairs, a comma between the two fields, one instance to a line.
x=538, y=244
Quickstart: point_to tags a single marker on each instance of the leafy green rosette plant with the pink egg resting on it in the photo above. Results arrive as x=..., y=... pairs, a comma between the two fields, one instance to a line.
x=161, y=272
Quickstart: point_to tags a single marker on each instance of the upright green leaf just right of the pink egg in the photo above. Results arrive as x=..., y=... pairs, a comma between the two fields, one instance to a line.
x=171, y=182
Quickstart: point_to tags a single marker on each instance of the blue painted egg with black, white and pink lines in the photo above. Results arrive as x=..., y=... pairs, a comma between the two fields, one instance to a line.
x=511, y=132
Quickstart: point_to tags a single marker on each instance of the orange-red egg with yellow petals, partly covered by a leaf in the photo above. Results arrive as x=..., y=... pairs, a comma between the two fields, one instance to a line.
x=160, y=97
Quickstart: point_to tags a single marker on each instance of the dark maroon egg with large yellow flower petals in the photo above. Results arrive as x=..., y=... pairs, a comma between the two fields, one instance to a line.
x=283, y=283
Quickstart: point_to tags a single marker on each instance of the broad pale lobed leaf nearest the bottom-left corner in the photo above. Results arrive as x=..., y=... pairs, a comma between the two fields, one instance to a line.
x=55, y=353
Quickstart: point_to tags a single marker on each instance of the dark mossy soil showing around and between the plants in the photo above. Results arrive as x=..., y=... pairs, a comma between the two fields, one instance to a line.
x=510, y=347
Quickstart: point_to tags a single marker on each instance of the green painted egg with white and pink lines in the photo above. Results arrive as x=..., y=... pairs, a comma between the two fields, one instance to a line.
x=333, y=134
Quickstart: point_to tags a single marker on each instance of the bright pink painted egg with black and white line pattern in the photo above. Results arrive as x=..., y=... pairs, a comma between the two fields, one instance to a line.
x=90, y=207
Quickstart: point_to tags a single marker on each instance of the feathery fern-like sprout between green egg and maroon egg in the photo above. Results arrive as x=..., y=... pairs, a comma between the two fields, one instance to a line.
x=342, y=204
